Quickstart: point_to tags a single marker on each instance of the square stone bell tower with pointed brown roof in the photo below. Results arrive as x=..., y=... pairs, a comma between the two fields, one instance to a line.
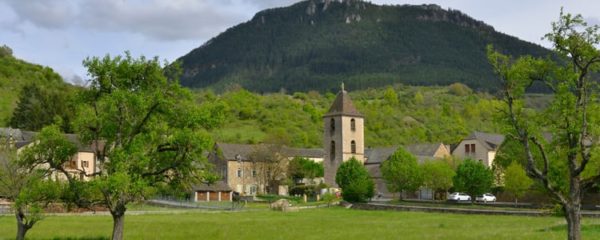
x=343, y=135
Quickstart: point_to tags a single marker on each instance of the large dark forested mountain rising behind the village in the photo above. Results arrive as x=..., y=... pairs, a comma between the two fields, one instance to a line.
x=316, y=44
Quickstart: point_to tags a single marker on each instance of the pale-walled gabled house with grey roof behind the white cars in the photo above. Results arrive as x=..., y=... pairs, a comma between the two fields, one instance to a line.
x=479, y=146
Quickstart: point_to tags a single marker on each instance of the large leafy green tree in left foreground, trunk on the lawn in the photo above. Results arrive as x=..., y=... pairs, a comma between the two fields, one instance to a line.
x=145, y=130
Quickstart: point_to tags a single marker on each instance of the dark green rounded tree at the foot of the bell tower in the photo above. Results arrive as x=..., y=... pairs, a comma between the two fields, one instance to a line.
x=356, y=184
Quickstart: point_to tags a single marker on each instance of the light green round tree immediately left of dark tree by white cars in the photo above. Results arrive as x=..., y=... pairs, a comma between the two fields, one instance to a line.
x=437, y=175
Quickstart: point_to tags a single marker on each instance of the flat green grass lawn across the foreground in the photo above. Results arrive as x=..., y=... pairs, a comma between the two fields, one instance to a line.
x=332, y=223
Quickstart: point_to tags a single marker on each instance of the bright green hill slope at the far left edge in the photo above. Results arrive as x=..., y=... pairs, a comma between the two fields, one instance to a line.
x=15, y=74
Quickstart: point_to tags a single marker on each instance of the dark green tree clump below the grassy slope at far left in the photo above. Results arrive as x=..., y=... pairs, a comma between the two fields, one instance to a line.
x=38, y=107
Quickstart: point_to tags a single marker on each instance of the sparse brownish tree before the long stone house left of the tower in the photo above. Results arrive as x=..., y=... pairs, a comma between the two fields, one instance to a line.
x=271, y=166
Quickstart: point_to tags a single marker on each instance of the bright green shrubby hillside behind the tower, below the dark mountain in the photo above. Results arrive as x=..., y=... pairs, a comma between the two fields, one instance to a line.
x=394, y=115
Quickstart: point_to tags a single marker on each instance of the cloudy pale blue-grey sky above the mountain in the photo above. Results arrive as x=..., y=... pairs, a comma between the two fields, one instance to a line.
x=62, y=33
